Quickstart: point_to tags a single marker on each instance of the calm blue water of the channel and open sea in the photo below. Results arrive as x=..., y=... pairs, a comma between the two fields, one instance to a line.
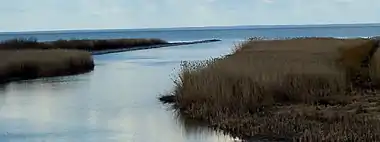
x=118, y=100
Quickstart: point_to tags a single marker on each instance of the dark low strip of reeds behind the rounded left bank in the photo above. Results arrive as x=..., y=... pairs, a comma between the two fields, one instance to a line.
x=88, y=45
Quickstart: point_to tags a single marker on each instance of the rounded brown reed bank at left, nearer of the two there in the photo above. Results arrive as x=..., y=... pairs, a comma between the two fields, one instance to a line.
x=31, y=64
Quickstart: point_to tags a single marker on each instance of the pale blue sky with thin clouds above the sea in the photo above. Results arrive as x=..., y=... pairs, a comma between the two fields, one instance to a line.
x=35, y=15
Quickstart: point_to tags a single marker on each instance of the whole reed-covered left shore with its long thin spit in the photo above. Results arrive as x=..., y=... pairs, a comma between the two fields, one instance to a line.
x=29, y=59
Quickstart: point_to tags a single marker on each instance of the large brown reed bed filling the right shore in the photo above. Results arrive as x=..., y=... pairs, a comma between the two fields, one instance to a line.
x=307, y=89
